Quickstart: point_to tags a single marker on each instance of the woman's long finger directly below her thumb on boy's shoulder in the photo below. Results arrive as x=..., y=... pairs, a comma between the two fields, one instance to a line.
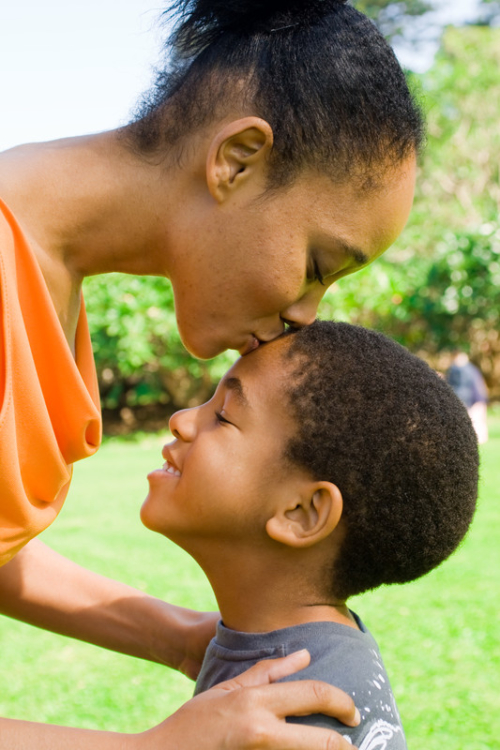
x=310, y=697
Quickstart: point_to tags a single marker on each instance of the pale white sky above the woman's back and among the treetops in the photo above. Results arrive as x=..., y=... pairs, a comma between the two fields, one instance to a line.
x=68, y=68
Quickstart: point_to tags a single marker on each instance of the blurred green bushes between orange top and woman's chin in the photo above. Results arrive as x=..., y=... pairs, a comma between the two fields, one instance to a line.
x=138, y=351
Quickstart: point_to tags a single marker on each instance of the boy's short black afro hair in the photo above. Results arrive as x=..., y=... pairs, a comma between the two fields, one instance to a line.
x=379, y=423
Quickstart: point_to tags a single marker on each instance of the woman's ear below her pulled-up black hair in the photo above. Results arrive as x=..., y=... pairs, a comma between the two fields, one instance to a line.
x=237, y=153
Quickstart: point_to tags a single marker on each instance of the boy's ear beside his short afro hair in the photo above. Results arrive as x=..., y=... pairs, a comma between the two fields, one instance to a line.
x=313, y=518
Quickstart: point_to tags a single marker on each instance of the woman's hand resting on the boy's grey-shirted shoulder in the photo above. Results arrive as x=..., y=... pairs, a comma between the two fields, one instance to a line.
x=248, y=713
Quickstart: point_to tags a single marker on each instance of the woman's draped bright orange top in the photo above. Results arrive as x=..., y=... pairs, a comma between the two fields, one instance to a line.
x=49, y=400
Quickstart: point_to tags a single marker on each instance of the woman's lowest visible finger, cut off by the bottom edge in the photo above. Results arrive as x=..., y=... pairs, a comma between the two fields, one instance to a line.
x=302, y=737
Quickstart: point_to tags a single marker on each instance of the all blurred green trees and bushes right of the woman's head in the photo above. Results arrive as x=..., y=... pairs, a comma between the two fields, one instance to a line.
x=439, y=286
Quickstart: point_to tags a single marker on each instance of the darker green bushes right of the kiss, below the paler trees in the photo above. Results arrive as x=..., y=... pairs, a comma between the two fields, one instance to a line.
x=447, y=301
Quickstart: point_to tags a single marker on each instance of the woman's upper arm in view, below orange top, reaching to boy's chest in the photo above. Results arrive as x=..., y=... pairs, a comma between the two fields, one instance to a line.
x=45, y=589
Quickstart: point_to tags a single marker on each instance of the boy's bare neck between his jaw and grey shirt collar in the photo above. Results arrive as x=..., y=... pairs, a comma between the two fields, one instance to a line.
x=257, y=594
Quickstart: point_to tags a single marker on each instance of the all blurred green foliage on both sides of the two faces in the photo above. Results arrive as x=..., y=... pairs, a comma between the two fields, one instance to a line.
x=438, y=287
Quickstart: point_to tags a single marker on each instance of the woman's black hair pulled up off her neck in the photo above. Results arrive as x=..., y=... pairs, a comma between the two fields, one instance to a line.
x=318, y=71
